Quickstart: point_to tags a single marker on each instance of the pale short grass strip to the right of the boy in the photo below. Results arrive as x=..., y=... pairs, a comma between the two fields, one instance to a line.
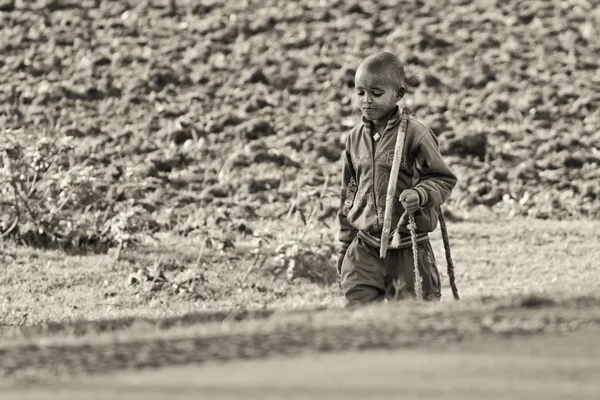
x=506, y=257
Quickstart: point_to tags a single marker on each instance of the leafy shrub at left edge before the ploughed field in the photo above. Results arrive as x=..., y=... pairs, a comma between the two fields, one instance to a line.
x=46, y=200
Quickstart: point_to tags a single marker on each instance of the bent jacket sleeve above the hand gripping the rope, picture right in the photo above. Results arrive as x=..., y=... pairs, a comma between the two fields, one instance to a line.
x=436, y=179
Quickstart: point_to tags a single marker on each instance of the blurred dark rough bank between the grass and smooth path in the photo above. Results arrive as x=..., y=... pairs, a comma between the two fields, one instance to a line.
x=60, y=358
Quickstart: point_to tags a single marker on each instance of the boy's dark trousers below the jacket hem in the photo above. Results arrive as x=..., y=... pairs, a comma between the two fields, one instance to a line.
x=365, y=277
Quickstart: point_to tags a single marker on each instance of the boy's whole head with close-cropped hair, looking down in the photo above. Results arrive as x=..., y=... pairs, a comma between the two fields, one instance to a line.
x=379, y=84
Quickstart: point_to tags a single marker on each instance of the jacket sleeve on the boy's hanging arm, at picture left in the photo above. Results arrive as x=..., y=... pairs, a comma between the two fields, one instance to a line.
x=347, y=195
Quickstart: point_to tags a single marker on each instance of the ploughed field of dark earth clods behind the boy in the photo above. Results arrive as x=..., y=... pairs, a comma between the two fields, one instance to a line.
x=221, y=115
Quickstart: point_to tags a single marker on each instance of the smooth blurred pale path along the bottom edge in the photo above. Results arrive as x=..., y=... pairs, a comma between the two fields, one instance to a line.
x=555, y=366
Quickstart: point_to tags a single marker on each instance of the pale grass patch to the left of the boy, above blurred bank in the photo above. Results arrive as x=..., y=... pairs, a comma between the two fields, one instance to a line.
x=41, y=286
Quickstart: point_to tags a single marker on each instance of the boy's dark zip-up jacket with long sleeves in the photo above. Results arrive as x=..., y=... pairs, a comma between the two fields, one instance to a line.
x=366, y=171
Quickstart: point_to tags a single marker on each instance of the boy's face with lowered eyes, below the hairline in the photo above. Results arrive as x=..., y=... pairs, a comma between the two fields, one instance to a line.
x=377, y=95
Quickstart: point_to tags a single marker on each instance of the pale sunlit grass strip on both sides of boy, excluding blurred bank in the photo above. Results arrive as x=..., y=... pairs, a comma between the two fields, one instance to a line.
x=492, y=258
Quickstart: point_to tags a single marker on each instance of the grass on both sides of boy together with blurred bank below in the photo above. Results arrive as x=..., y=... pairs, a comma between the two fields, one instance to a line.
x=515, y=277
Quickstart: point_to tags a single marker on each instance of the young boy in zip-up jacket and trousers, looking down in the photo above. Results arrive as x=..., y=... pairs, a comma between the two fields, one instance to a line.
x=424, y=182
